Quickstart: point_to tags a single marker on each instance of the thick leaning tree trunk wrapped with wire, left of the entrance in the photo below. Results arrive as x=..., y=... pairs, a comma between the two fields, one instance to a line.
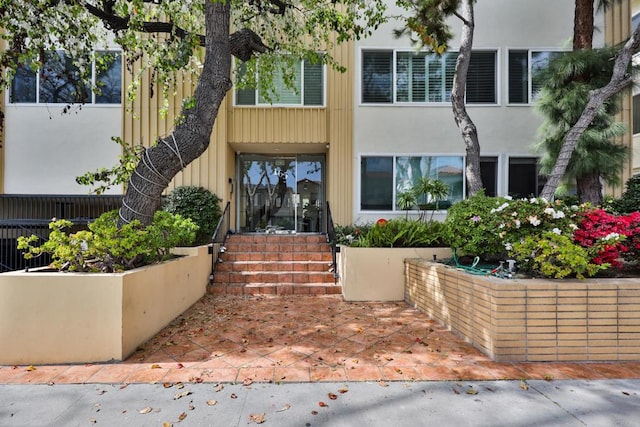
x=160, y=163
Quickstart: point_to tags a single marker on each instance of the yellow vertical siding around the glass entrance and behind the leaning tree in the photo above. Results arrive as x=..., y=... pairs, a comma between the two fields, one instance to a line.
x=304, y=129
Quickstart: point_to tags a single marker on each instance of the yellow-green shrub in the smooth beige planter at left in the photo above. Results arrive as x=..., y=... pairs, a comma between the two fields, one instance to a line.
x=107, y=248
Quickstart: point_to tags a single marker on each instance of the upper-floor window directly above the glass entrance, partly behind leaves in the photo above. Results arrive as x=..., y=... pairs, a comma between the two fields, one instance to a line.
x=308, y=88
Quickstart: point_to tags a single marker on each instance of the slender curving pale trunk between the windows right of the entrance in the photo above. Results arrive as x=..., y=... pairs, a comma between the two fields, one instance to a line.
x=465, y=124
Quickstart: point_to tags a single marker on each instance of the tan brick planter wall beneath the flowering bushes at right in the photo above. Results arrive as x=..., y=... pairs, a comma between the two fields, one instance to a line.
x=531, y=319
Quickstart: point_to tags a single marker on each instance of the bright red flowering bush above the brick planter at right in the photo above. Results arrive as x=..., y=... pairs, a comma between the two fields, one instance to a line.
x=618, y=236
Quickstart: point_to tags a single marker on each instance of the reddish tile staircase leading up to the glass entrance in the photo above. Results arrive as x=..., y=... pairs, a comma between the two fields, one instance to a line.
x=275, y=264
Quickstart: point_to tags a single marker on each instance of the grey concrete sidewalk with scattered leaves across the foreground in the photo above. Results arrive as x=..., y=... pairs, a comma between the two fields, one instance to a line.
x=440, y=403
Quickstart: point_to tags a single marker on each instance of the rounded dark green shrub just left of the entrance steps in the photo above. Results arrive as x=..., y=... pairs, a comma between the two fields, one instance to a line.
x=198, y=204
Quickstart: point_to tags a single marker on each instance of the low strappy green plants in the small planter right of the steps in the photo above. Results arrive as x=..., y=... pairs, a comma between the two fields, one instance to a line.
x=402, y=233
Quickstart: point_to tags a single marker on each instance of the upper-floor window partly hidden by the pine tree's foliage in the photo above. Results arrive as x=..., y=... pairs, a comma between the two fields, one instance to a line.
x=524, y=83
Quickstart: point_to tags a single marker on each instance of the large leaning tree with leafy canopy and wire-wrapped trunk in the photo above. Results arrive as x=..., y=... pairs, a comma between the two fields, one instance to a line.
x=166, y=36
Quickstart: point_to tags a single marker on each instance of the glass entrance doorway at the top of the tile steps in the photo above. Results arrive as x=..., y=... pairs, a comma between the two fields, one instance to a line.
x=281, y=194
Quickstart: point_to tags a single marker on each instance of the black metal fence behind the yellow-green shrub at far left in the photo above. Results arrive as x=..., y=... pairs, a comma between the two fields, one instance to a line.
x=27, y=214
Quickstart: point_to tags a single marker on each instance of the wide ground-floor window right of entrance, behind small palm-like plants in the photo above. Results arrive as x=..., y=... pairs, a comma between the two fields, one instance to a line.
x=383, y=178
